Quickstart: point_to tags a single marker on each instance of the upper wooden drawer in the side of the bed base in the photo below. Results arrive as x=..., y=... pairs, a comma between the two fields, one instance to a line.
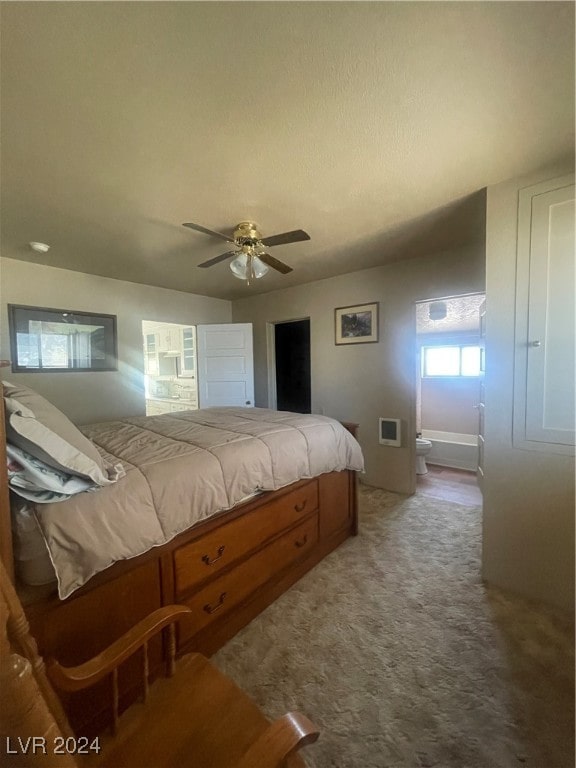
x=203, y=558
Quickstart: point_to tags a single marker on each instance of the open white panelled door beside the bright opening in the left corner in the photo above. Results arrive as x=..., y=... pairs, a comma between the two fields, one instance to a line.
x=225, y=365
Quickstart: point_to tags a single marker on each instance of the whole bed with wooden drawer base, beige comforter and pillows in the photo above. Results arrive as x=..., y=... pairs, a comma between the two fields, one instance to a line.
x=274, y=494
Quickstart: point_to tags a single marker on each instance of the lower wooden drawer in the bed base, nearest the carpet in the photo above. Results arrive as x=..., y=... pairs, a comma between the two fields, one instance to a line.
x=233, y=587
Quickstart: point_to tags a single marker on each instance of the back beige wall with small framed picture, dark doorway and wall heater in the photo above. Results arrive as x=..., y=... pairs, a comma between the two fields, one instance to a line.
x=364, y=381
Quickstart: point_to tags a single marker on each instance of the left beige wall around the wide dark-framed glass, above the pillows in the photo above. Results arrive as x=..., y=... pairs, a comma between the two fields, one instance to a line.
x=86, y=397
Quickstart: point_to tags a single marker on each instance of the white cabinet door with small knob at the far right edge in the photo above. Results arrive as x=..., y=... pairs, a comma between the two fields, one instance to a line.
x=545, y=351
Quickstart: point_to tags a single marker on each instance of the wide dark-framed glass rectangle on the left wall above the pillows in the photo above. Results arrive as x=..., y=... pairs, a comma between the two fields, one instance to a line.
x=56, y=340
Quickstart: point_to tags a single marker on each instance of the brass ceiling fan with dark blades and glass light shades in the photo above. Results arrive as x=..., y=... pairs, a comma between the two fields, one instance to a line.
x=250, y=260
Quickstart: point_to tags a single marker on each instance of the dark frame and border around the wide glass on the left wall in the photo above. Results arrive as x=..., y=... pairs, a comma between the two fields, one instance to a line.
x=21, y=313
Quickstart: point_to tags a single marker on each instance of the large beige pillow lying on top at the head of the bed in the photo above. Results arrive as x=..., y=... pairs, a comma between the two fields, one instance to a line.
x=38, y=427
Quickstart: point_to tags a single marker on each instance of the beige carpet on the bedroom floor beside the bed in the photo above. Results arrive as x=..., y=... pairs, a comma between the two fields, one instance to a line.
x=396, y=649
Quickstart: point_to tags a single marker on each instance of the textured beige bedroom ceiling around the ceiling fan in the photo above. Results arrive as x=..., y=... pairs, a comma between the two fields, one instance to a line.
x=372, y=126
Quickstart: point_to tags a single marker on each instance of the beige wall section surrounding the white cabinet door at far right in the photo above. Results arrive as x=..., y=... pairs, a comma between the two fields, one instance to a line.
x=528, y=495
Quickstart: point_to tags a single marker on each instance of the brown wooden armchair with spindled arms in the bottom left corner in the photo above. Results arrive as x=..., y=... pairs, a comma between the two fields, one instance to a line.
x=194, y=716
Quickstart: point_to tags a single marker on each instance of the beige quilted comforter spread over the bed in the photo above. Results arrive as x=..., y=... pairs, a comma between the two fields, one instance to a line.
x=180, y=469
